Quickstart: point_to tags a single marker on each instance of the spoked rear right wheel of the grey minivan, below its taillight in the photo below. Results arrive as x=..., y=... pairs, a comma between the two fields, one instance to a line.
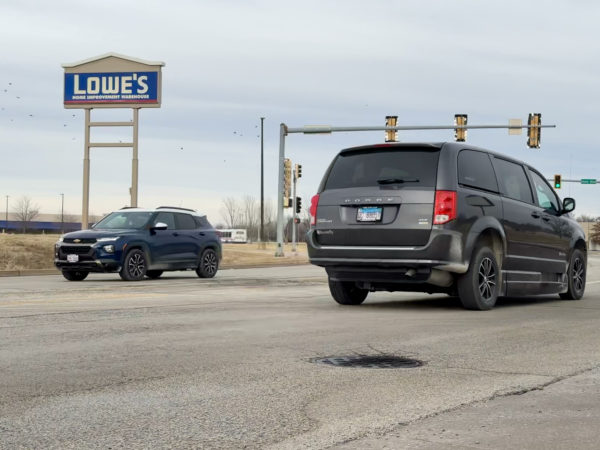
x=478, y=288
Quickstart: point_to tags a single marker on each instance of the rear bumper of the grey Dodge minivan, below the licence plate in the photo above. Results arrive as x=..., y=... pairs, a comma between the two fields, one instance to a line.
x=444, y=251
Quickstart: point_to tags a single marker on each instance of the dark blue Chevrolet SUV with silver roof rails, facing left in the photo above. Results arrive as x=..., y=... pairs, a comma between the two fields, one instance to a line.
x=138, y=242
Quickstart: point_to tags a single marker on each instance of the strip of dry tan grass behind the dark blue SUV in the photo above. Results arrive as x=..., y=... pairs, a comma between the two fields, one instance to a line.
x=22, y=252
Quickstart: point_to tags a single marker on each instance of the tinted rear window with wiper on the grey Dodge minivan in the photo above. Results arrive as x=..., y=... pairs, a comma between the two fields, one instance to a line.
x=384, y=166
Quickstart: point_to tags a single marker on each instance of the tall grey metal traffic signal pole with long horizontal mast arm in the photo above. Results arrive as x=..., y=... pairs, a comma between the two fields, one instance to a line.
x=284, y=130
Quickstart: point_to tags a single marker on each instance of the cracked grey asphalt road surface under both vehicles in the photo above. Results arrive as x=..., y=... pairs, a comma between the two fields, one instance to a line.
x=182, y=362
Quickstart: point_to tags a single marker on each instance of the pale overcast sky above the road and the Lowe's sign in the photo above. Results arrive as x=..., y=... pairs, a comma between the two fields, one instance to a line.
x=312, y=62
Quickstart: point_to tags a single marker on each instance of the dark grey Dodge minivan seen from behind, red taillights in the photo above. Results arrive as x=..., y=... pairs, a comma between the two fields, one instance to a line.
x=443, y=217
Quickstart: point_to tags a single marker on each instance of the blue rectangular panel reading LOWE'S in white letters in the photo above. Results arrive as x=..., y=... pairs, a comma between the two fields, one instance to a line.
x=118, y=87
